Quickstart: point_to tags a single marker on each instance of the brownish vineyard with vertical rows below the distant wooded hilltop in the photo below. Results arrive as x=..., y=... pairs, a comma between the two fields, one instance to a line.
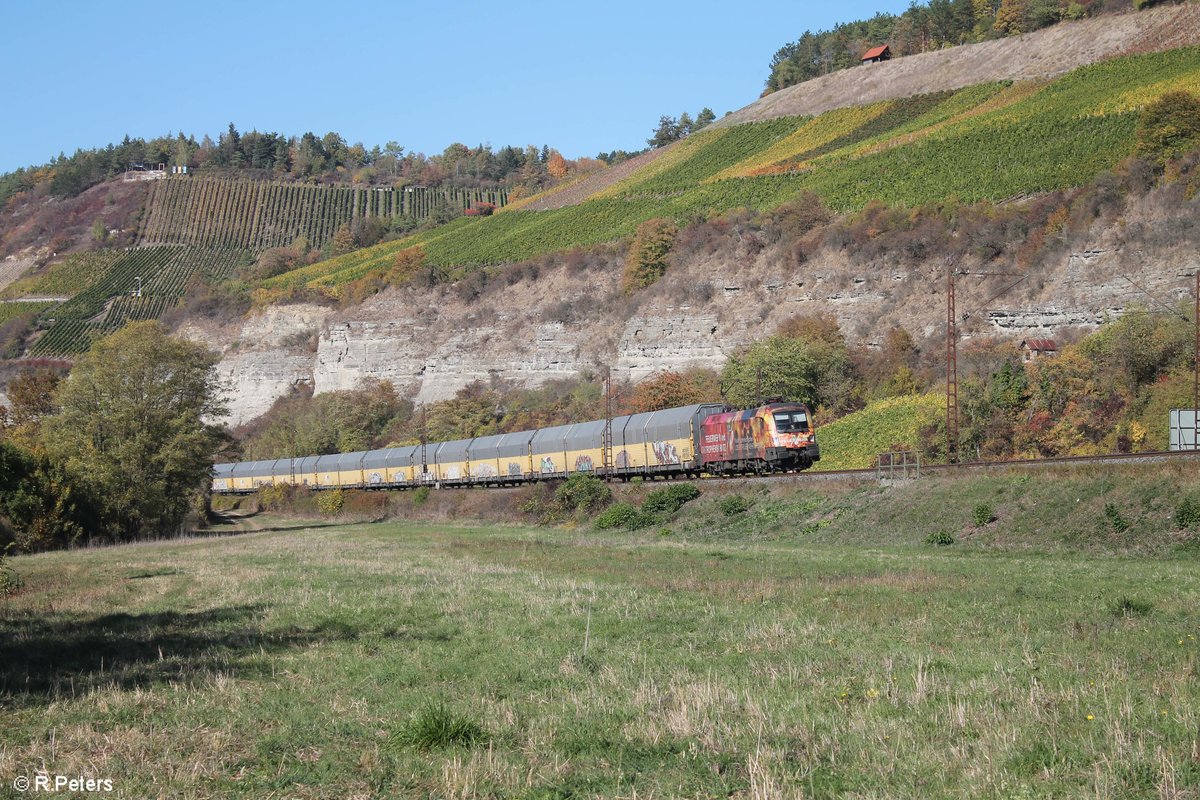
x=260, y=215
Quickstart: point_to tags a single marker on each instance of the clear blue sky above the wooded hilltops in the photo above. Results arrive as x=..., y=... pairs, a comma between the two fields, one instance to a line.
x=581, y=79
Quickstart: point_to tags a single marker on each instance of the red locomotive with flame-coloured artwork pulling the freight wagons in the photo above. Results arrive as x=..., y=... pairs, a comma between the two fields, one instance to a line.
x=777, y=437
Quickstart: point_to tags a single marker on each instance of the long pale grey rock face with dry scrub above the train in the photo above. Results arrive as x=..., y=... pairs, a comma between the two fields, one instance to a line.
x=566, y=321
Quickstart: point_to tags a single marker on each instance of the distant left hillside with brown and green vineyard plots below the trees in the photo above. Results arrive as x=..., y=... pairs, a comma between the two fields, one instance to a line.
x=179, y=236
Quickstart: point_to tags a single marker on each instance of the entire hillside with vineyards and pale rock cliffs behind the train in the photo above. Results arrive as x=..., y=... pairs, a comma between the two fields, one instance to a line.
x=1018, y=172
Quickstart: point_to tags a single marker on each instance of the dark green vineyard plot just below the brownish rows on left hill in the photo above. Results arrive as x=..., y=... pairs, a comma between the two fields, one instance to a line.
x=107, y=300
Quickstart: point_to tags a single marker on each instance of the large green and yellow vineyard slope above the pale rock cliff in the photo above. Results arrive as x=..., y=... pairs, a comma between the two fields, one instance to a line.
x=988, y=142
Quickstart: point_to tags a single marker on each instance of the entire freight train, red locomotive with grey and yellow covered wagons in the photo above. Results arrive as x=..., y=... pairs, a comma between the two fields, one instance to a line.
x=709, y=438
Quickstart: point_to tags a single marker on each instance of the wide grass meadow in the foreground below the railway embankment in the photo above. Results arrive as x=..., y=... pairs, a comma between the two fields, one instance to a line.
x=430, y=660
